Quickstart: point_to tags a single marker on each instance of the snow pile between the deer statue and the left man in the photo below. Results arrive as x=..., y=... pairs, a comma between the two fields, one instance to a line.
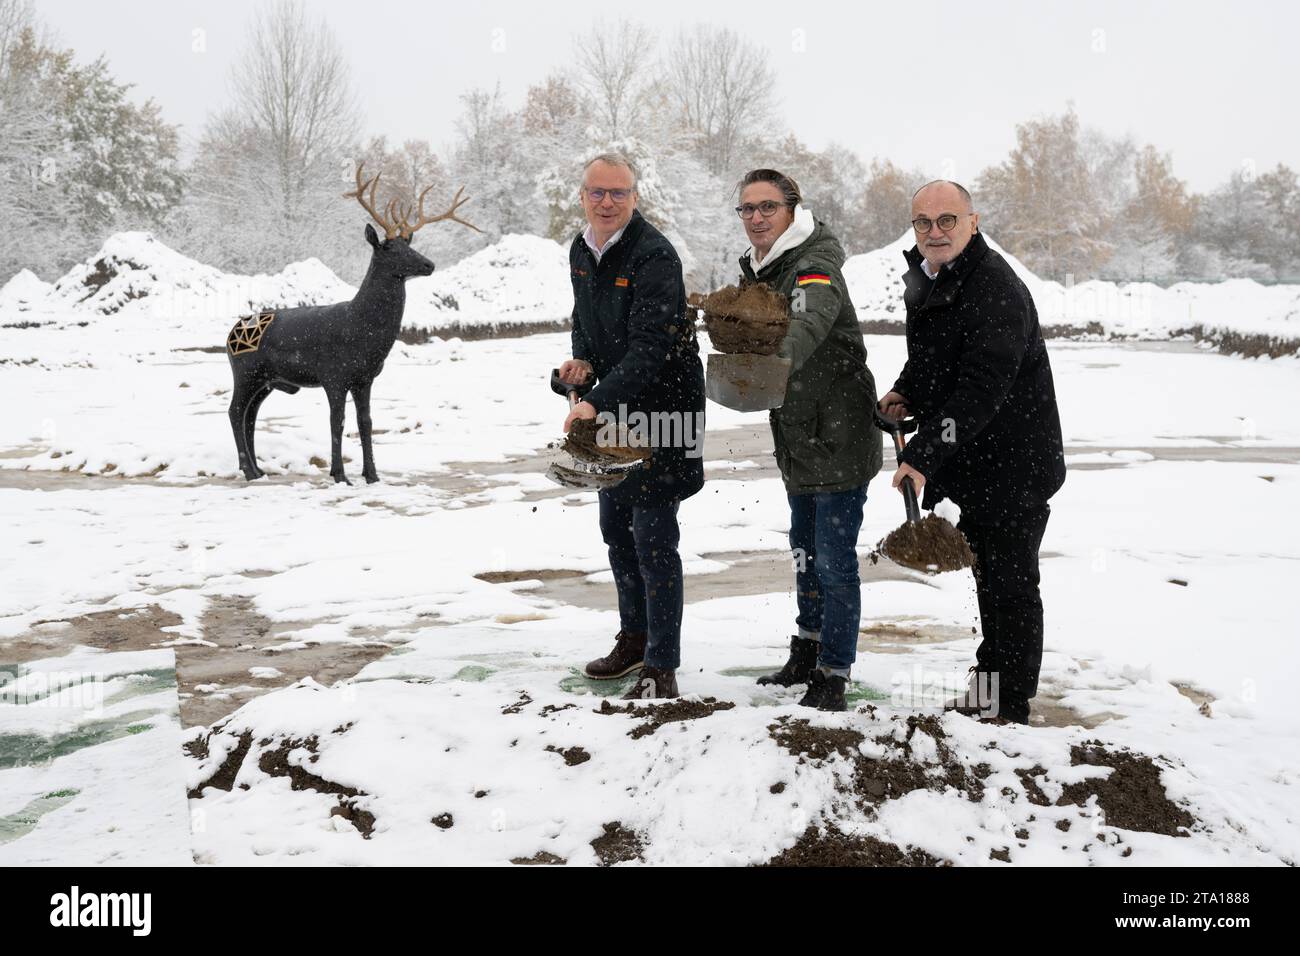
x=523, y=280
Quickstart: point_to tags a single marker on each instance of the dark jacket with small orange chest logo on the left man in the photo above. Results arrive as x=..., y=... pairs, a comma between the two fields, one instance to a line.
x=630, y=322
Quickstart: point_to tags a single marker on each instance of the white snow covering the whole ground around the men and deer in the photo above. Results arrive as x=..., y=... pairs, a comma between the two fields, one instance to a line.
x=1165, y=574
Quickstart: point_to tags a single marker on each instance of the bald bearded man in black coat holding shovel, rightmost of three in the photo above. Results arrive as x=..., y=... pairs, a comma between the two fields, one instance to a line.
x=980, y=382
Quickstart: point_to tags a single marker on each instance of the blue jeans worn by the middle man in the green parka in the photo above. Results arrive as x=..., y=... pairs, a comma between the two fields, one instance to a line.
x=825, y=540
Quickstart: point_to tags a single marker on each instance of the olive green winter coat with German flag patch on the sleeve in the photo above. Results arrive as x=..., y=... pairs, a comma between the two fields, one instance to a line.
x=824, y=432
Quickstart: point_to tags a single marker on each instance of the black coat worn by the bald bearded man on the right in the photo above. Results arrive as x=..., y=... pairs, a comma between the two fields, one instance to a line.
x=980, y=380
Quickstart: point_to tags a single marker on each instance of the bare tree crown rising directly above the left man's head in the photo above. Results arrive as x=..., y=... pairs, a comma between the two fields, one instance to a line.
x=610, y=62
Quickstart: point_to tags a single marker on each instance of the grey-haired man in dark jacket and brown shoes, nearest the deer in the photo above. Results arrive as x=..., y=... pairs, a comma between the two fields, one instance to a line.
x=632, y=334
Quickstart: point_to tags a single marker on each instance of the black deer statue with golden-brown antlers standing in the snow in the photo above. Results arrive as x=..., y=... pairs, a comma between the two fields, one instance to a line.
x=337, y=348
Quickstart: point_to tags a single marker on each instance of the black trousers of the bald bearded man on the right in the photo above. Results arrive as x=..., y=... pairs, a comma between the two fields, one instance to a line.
x=1011, y=609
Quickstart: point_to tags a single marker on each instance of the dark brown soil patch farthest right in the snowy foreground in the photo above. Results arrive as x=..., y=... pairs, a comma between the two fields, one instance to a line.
x=1133, y=798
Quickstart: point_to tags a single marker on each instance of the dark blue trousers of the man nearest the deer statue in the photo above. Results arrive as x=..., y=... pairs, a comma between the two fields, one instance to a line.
x=643, y=544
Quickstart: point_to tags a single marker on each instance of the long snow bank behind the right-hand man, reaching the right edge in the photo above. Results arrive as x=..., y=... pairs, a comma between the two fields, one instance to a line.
x=1238, y=308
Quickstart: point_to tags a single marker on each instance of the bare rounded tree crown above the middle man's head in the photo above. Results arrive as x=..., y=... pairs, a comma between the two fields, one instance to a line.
x=722, y=88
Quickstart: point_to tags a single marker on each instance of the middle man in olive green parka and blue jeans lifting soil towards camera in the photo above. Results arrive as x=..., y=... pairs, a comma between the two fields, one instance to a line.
x=826, y=445
